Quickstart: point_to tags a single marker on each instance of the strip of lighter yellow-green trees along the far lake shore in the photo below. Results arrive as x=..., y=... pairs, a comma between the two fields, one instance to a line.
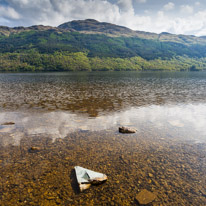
x=79, y=61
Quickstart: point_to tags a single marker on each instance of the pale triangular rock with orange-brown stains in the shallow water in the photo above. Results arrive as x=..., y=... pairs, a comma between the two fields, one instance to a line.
x=86, y=178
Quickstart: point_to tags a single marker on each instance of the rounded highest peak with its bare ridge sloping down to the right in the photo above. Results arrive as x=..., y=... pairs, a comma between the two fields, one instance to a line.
x=91, y=26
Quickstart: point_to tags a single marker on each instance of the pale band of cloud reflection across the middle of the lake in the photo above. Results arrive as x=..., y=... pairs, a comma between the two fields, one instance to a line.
x=58, y=124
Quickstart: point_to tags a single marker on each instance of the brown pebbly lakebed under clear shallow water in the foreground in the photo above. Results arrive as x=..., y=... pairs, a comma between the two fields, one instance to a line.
x=174, y=172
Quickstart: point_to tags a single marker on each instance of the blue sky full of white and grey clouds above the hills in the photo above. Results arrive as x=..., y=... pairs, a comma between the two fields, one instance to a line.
x=173, y=16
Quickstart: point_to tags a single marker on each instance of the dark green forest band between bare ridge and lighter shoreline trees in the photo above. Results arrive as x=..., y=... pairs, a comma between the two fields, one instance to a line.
x=97, y=45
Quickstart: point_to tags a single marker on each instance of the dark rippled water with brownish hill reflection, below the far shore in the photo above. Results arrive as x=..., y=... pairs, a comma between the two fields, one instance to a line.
x=99, y=93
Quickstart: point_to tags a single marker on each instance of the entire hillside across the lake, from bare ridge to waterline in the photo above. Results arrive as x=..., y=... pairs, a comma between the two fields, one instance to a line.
x=91, y=45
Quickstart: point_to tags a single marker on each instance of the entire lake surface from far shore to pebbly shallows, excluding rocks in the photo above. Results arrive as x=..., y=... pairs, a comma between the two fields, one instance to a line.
x=73, y=119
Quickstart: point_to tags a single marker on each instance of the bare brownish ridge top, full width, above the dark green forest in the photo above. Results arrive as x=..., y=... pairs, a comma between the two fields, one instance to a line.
x=92, y=26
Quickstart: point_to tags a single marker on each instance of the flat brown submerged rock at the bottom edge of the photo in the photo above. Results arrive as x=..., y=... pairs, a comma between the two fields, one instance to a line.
x=145, y=197
